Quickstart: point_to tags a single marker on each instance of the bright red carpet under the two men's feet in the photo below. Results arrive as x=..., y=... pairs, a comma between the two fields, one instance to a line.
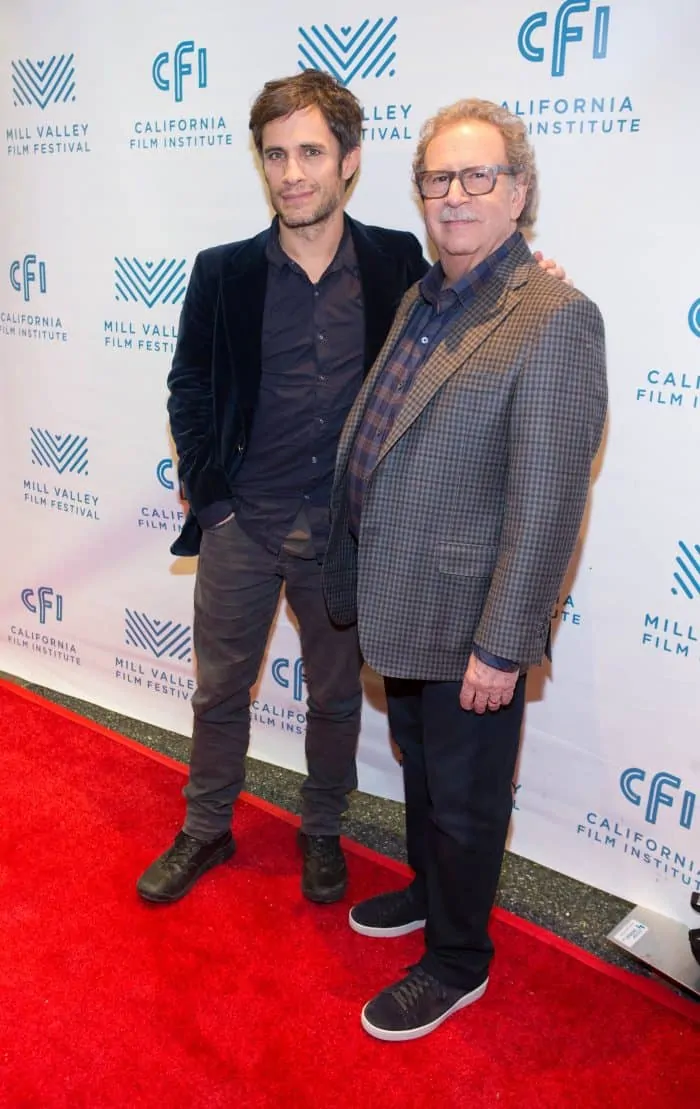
x=245, y=995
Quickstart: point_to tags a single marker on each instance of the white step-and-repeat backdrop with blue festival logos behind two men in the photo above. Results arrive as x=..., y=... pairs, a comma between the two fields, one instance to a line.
x=126, y=150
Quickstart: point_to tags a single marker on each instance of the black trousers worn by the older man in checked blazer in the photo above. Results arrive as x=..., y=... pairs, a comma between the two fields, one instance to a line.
x=459, y=771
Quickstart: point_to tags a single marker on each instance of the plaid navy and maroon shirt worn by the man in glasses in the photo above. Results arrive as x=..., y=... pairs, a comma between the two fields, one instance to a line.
x=427, y=327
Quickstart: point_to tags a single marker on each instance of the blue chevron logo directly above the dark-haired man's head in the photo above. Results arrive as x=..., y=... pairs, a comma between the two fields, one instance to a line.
x=367, y=50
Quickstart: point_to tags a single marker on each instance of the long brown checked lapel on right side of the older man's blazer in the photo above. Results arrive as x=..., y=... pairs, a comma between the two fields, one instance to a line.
x=484, y=316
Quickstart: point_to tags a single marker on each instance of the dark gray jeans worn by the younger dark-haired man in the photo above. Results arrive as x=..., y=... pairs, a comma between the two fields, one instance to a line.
x=236, y=597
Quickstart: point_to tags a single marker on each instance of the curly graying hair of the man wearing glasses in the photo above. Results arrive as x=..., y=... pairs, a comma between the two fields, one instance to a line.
x=520, y=151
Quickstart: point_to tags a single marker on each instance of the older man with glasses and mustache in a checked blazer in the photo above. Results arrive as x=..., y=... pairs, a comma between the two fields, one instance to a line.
x=462, y=479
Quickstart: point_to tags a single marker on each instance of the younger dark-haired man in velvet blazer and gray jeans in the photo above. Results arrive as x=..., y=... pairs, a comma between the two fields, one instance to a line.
x=277, y=337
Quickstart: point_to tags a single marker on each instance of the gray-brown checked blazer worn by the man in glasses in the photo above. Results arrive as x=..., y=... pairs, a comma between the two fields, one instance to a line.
x=473, y=510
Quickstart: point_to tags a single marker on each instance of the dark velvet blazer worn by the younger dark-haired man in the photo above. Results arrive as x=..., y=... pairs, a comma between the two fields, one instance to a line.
x=217, y=367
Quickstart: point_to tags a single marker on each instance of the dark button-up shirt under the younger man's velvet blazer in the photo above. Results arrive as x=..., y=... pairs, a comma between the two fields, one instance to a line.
x=312, y=371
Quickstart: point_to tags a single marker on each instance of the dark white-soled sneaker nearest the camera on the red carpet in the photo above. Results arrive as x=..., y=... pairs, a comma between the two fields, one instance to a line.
x=415, y=1006
